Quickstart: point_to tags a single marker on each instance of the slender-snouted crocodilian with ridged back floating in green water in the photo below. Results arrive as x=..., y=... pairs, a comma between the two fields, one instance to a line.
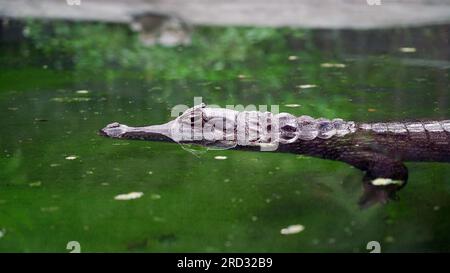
x=378, y=149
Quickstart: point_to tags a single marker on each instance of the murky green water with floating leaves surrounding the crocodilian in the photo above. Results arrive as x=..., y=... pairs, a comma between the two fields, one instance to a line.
x=58, y=178
